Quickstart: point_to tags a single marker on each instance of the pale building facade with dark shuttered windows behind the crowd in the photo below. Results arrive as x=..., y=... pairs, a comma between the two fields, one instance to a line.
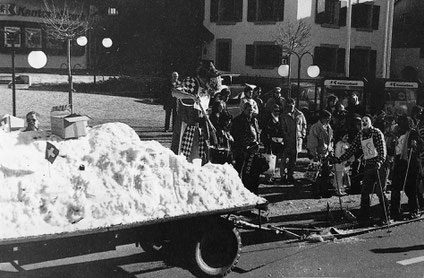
x=245, y=32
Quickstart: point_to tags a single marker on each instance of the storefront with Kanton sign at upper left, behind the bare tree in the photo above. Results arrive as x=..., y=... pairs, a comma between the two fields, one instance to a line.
x=22, y=30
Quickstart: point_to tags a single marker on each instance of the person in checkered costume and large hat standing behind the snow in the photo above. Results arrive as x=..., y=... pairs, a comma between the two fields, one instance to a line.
x=191, y=137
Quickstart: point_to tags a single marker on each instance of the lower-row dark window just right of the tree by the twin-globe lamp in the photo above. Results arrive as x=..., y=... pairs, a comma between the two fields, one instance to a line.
x=330, y=59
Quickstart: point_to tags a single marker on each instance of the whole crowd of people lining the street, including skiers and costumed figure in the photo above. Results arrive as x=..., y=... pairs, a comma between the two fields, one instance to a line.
x=356, y=152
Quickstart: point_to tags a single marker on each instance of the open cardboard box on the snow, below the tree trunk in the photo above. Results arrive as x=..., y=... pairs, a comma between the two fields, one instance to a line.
x=68, y=126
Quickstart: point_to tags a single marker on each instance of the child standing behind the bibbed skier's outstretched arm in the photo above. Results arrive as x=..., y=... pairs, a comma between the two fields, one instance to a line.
x=341, y=180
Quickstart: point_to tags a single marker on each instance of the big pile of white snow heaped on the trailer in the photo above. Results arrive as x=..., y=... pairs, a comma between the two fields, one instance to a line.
x=108, y=177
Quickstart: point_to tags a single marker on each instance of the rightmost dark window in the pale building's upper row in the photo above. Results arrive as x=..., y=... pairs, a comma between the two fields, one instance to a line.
x=365, y=16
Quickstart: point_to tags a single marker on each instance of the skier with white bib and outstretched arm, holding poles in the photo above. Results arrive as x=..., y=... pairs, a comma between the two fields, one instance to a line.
x=370, y=141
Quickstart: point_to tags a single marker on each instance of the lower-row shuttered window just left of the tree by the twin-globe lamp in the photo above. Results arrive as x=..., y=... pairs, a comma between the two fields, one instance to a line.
x=263, y=55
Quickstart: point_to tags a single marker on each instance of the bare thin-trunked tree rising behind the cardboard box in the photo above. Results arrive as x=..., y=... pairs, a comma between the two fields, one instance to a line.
x=66, y=23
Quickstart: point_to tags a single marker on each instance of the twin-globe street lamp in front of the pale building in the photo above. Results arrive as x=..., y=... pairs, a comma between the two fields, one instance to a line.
x=285, y=70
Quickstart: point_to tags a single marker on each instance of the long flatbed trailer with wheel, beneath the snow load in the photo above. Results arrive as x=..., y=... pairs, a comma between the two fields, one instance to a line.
x=208, y=241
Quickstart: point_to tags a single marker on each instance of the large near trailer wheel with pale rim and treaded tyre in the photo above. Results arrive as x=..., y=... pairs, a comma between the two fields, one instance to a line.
x=216, y=250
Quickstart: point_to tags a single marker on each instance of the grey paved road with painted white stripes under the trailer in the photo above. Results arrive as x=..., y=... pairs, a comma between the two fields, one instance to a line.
x=377, y=254
